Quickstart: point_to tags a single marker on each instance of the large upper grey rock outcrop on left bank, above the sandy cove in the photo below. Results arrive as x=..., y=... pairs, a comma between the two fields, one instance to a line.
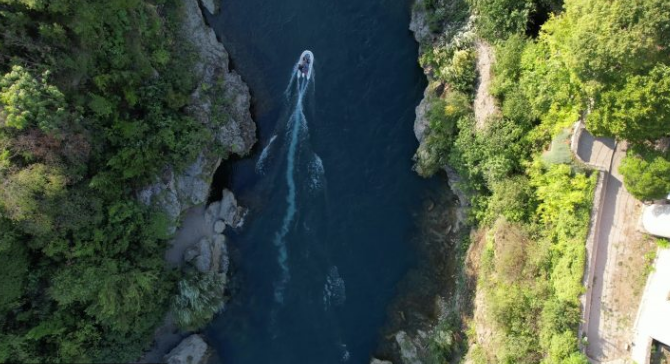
x=221, y=103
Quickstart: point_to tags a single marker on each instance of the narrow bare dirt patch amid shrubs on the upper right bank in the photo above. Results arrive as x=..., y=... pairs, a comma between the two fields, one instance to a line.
x=485, y=105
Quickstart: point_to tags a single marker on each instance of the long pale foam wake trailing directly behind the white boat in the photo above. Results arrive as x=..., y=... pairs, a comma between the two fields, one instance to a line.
x=296, y=119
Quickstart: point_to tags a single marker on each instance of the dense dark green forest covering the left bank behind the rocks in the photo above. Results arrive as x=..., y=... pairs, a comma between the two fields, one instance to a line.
x=92, y=107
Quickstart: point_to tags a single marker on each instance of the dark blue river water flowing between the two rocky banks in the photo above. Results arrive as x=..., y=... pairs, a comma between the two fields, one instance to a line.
x=334, y=200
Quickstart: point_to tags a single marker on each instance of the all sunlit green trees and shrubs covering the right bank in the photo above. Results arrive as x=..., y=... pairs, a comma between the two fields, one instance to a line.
x=605, y=62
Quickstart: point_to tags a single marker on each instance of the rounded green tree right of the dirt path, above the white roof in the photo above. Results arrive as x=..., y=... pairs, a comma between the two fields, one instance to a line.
x=646, y=173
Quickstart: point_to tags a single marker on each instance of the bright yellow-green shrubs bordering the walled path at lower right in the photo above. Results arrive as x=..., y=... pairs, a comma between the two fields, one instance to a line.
x=535, y=270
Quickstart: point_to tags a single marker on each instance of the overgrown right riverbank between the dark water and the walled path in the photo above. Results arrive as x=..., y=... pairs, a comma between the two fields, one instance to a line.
x=469, y=130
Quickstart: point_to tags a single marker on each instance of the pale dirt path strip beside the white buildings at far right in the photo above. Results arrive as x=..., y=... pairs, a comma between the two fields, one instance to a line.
x=618, y=279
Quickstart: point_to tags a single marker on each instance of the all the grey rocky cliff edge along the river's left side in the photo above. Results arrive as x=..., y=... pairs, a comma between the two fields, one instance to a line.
x=221, y=102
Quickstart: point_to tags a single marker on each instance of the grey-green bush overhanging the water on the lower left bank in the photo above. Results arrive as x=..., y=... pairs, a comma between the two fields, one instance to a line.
x=200, y=296
